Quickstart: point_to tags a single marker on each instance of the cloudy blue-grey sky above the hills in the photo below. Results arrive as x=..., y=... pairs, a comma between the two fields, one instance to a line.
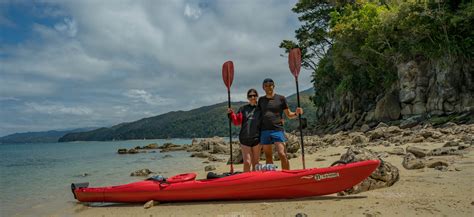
x=71, y=64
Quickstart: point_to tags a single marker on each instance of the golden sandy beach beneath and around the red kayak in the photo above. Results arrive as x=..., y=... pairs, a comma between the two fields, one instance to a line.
x=421, y=192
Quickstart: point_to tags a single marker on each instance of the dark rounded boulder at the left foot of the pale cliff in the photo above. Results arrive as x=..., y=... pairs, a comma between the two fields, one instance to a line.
x=388, y=108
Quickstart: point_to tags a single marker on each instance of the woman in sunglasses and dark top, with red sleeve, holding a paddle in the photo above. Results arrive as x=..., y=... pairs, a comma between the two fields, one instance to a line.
x=249, y=117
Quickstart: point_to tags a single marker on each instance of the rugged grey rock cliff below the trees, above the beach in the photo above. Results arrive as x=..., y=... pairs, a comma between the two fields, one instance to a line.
x=425, y=89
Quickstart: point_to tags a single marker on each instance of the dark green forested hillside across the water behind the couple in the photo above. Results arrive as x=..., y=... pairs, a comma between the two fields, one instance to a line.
x=202, y=122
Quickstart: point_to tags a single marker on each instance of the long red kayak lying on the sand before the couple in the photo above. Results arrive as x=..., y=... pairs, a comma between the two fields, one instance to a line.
x=242, y=186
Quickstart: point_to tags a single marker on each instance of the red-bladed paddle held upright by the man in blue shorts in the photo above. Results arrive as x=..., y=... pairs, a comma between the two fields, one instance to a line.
x=294, y=61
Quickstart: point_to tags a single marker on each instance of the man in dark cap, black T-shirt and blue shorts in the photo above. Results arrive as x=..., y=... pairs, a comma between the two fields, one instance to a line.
x=272, y=107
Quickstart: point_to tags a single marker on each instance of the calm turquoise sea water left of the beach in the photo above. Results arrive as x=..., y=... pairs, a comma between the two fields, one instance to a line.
x=35, y=179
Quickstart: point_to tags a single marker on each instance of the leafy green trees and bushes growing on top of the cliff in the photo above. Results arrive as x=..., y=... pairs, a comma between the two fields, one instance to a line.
x=353, y=47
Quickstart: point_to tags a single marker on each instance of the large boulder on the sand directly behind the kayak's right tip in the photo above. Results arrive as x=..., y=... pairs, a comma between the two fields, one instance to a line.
x=384, y=176
